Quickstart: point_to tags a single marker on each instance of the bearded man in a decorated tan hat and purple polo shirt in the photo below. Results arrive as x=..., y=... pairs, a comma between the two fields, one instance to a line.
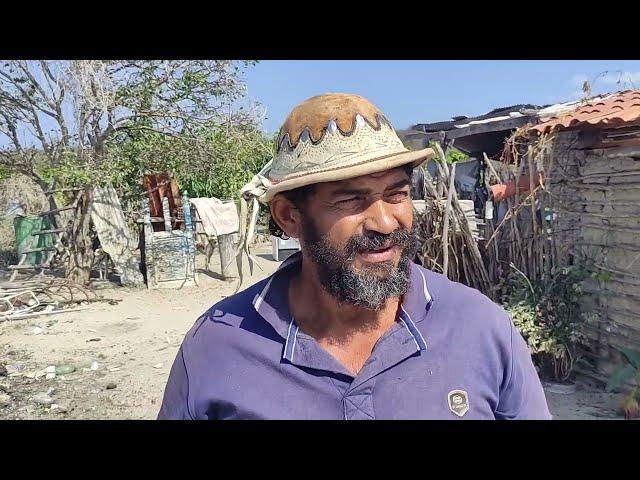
x=350, y=328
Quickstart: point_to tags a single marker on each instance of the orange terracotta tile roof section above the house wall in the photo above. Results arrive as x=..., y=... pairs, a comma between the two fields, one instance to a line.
x=611, y=110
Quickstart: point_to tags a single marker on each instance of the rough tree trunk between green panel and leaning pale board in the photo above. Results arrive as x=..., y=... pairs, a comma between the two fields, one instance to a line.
x=80, y=245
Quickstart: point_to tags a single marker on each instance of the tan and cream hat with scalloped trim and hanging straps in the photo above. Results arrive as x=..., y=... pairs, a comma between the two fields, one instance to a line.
x=335, y=136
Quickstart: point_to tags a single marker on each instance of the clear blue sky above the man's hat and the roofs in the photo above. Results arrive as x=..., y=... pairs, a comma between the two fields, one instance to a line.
x=410, y=92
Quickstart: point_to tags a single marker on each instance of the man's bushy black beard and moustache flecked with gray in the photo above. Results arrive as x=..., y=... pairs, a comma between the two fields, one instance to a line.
x=374, y=285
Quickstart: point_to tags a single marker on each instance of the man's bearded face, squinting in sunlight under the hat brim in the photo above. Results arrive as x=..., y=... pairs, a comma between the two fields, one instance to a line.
x=359, y=234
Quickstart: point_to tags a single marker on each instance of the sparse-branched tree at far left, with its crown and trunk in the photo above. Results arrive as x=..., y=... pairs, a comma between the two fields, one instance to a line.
x=58, y=119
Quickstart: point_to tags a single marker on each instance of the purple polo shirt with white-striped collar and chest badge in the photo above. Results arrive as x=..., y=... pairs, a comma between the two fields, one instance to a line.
x=246, y=358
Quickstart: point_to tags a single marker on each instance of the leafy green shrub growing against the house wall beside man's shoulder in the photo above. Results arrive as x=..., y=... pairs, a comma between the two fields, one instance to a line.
x=547, y=313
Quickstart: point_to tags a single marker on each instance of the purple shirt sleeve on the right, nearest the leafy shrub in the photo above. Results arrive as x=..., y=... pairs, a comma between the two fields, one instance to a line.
x=521, y=396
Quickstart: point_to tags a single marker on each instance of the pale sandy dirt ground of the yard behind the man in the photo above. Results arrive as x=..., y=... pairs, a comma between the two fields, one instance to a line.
x=122, y=354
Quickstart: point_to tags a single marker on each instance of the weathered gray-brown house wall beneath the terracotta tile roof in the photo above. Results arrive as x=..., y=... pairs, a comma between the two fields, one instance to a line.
x=596, y=194
